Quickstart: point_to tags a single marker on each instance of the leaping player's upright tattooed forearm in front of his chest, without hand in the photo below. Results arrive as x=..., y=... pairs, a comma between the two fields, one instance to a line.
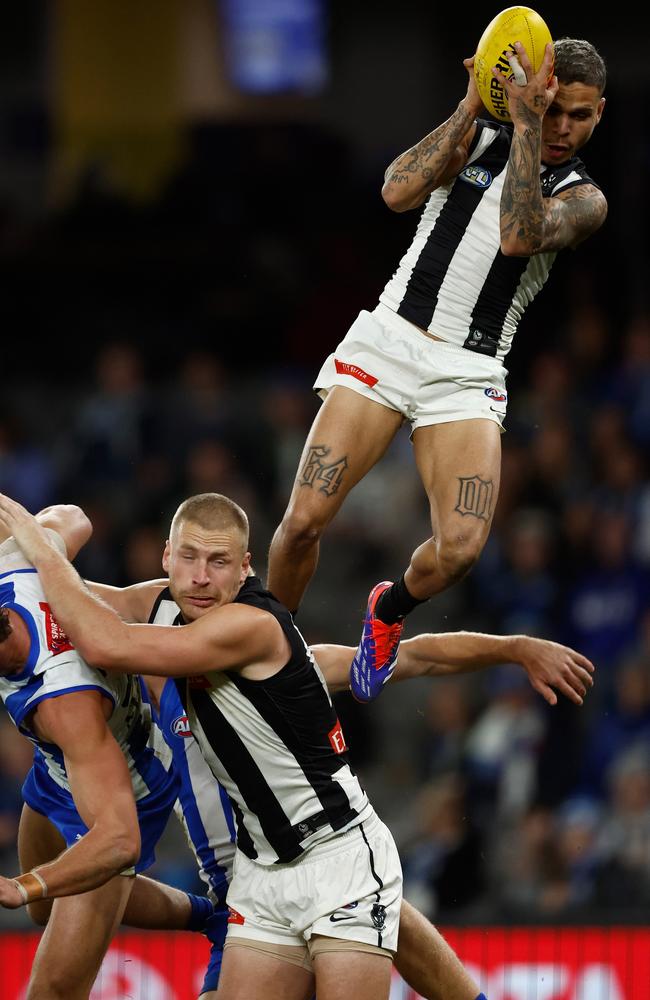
x=522, y=220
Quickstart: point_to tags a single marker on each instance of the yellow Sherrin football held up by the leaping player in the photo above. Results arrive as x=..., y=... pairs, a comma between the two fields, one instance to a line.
x=514, y=24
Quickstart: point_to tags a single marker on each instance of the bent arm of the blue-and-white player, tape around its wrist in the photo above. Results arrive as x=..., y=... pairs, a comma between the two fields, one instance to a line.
x=102, y=792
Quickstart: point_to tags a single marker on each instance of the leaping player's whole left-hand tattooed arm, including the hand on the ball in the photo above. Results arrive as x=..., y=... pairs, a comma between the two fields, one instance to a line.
x=441, y=155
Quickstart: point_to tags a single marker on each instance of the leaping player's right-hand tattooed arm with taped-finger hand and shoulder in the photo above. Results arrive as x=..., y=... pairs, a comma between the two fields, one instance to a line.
x=529, y=222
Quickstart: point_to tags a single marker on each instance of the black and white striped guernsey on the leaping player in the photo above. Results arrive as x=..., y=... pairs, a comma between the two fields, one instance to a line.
x=453, y=281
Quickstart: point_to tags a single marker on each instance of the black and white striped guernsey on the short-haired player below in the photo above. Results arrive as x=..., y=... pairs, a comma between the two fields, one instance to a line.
x=275, y=745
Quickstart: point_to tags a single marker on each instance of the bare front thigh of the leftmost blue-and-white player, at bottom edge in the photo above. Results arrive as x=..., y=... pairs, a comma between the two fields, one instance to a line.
x=76, y=939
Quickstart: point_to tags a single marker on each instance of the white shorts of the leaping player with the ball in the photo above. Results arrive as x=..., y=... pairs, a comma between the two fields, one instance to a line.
x=387, y=359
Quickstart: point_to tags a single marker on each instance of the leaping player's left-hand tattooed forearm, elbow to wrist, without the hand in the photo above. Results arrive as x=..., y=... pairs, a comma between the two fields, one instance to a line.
x=419, y=170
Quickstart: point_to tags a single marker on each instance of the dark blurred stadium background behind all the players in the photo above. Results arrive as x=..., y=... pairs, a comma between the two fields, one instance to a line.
x=190, y=219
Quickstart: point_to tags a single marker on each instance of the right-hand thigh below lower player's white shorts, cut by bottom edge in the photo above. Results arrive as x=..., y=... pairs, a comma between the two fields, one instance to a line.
x=359, y=974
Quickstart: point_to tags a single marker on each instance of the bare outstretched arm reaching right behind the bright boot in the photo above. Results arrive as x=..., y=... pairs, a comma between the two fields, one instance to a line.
x=550, y=666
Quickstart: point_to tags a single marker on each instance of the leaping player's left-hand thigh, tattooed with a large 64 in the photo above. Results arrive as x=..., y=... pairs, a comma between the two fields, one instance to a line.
x=348, y=437
